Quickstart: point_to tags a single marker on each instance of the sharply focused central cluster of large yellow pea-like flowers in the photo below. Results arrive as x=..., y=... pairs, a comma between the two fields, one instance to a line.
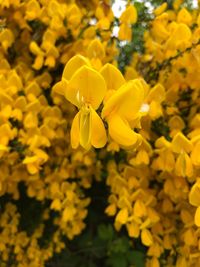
x=87, y=88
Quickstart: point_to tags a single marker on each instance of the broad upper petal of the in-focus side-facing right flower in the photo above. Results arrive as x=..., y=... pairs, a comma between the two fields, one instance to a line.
x=126, y=101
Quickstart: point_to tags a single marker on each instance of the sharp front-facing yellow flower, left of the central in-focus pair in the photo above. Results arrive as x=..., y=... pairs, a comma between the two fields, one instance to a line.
x=85, y=89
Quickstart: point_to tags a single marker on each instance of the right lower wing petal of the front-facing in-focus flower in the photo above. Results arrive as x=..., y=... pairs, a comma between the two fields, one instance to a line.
x=98, y=132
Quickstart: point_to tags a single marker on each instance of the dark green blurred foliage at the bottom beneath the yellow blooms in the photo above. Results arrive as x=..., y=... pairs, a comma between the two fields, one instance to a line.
x=104, y=247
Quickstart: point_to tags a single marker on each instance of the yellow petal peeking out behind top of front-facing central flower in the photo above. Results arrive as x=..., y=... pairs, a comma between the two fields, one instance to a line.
x=73, y=65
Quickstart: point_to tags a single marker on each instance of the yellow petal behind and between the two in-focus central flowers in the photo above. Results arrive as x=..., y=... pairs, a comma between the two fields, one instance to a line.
x=113, y=77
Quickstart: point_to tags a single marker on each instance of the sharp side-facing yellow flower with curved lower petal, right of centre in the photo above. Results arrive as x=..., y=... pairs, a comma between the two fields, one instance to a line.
x=121, y=109
